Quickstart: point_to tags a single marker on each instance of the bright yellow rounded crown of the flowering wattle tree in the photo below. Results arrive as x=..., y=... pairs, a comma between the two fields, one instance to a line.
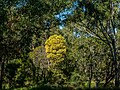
x=55, y=49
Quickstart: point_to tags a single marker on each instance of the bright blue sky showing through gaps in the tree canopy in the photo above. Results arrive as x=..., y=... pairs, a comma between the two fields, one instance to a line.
x=61, y=16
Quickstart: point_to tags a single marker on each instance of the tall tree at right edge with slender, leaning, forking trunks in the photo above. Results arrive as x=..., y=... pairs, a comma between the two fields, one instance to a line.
x=100, y=19
